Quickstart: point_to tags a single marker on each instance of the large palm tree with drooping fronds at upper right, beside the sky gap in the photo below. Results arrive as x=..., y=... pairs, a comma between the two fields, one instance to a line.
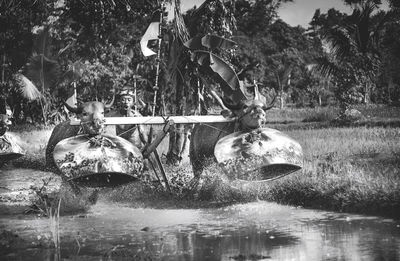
x=354, y=45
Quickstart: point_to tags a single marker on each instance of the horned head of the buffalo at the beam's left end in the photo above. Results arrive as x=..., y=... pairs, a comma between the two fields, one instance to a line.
x=91, y=115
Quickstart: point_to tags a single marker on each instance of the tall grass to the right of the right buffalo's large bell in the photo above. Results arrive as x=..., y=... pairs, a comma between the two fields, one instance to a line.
x=346, y=169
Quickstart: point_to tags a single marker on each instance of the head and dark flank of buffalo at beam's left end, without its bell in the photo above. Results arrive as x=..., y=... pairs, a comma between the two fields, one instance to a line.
x=91, y=115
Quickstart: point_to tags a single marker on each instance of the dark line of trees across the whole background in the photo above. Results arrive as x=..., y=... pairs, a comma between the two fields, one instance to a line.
x=50, y=49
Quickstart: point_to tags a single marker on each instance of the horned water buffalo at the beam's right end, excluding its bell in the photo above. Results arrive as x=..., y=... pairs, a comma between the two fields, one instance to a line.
x=249, y=114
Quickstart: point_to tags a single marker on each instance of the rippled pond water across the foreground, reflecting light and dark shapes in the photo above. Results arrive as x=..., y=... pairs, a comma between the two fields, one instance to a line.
x=253, y=231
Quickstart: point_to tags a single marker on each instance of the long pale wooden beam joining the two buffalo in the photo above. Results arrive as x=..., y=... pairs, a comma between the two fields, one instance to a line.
x=161, y=120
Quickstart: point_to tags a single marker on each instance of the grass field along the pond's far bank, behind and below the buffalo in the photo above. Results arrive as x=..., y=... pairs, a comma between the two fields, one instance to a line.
x=346, y=168
